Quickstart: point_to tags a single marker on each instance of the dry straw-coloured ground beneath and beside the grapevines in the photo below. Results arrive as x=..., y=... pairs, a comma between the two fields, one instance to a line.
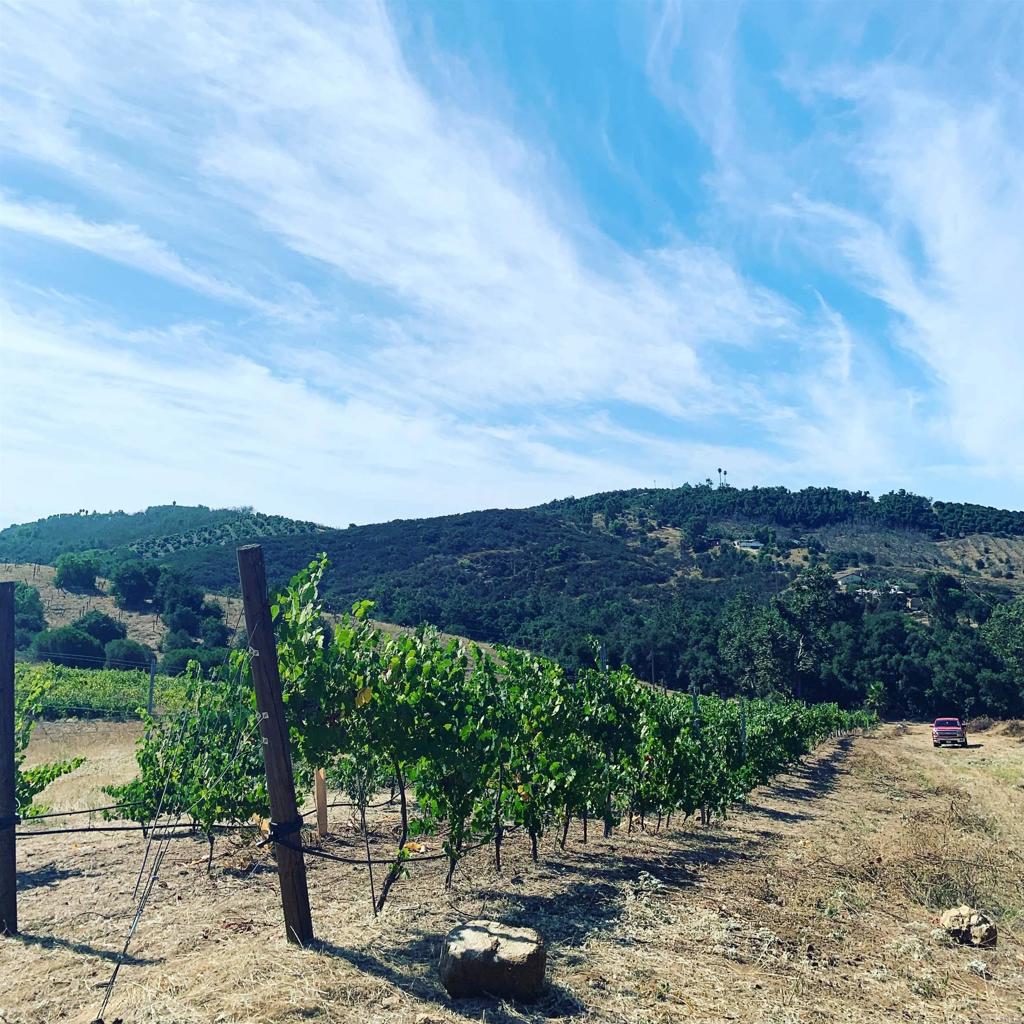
x=814, y=905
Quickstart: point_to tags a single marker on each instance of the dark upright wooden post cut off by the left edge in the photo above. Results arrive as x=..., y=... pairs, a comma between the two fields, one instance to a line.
x=9, y=789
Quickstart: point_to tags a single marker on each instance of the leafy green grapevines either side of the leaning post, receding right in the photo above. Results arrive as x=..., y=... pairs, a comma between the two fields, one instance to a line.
x=474, y=744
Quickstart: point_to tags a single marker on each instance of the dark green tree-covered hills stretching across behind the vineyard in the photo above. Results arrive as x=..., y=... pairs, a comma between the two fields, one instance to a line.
x=663, y=578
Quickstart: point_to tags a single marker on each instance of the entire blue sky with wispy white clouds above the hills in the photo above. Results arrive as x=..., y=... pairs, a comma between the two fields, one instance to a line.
x=355, y=263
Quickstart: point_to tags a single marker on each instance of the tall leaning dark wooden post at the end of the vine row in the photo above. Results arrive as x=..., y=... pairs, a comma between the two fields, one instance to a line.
x=285, y=821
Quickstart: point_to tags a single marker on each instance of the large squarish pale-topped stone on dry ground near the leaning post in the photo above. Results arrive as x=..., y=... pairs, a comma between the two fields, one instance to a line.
x=487, y=958
